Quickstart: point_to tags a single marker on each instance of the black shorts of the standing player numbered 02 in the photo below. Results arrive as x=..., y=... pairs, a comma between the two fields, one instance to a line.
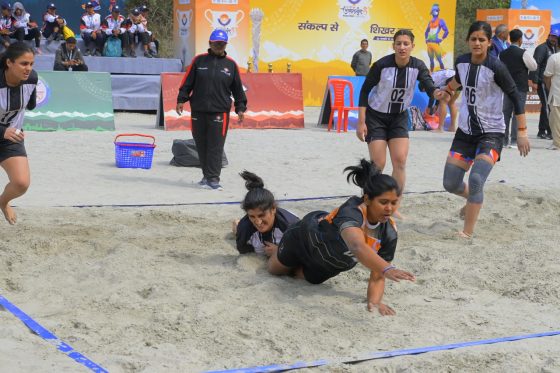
x=383, y=126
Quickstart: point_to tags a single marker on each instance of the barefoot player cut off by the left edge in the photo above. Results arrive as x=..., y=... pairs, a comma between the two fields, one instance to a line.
x=17, y=92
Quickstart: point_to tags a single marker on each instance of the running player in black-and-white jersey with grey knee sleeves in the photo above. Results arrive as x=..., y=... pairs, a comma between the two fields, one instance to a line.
x=479, y=139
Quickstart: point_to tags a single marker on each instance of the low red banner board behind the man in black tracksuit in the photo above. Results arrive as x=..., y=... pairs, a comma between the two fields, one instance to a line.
x=274, y=101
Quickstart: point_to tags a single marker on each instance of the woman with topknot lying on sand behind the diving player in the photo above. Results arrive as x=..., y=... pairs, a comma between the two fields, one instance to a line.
x=264, y=223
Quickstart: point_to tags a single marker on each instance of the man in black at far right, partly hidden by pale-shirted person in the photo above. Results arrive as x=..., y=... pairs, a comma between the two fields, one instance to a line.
x=541, y=55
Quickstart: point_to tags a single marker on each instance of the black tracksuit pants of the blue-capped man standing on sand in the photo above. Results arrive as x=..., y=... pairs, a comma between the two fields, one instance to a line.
x=209, y=131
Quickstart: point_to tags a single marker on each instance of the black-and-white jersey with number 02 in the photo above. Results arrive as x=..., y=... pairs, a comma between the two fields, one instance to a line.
x=390, y=89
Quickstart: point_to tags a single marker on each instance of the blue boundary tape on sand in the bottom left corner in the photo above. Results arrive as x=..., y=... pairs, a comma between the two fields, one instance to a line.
x=50, y=337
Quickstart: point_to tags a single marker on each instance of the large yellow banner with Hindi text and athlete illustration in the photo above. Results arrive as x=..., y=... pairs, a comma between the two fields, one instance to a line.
x=319, y=39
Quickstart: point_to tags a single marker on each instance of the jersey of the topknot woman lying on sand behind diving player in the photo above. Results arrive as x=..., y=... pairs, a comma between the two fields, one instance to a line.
x=249, y=239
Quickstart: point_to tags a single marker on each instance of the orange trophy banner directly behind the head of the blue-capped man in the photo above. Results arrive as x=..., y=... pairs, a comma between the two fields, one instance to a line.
x=196, y=19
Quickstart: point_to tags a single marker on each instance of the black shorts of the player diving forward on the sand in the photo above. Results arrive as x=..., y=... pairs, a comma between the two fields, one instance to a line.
x=298, y=249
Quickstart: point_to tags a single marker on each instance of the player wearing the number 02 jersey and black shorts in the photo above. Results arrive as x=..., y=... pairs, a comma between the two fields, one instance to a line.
x=384, y=99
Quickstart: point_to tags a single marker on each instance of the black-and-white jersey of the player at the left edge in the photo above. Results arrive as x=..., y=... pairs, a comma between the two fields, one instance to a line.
x=14, y=101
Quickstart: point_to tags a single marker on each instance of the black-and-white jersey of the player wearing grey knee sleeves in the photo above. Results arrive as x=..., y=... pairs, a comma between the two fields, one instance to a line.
x=484, y=86
